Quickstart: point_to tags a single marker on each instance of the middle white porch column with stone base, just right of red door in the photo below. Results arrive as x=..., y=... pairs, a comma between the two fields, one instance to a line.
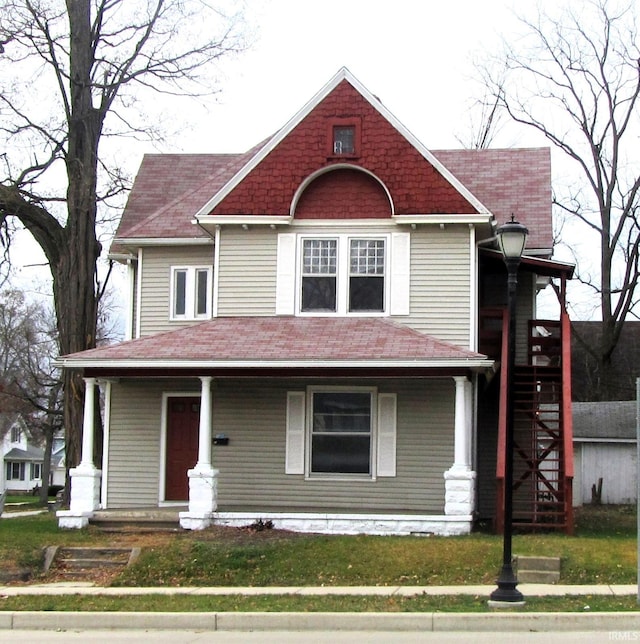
x=203, y=478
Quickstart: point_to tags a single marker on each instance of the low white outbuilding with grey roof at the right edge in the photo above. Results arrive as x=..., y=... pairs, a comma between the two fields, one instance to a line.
x=604, y=435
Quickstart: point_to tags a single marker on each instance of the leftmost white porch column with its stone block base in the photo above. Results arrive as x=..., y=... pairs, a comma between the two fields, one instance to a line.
x=85, y=479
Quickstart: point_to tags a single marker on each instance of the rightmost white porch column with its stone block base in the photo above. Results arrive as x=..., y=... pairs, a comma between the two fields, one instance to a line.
x=460, y=478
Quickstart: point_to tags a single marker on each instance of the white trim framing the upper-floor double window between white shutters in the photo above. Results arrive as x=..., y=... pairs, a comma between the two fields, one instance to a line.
x=343, y=274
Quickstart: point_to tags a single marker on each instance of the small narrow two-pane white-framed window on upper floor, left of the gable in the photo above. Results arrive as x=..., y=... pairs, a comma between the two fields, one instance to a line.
x=191, y=292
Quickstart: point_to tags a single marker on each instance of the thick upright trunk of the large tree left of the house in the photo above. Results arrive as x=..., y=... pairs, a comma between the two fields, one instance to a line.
x=74, y=282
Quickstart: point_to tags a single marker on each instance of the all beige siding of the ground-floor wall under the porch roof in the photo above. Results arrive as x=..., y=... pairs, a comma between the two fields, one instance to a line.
x=252, y=466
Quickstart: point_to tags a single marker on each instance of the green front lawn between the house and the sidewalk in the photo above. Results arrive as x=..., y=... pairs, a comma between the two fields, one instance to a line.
x=603, y=550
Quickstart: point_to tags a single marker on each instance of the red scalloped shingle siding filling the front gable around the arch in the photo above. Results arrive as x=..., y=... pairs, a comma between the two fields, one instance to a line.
x=415, y=186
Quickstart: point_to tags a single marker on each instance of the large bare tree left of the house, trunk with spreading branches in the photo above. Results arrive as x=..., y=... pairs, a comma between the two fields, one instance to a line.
x=71, y=74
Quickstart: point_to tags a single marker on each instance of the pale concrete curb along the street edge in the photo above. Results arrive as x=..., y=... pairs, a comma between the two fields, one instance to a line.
x=260, y=621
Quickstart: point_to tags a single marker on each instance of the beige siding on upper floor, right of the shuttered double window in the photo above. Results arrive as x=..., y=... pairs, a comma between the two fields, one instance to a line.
x=440, y=283
